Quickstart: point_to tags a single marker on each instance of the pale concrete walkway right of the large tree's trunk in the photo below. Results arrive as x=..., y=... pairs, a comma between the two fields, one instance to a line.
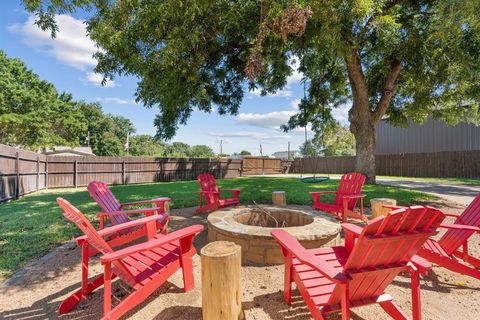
x=459, y=193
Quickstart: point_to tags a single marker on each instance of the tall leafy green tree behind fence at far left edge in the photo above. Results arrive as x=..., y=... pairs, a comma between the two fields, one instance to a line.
x=33, y=114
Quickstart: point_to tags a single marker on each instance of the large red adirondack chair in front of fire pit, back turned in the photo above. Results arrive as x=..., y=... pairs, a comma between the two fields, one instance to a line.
x=357, y=274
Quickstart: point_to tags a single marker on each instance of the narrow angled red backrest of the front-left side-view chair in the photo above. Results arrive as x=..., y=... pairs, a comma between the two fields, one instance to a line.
x=94, y=239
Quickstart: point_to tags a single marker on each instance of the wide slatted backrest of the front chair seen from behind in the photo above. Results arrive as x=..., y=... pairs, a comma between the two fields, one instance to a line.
x=384, y=248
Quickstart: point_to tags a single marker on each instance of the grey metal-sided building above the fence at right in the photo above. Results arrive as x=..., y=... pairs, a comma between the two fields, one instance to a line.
x=432, y=136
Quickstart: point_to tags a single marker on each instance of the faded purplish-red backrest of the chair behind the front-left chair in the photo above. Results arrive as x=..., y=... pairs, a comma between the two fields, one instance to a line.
x=103, y=196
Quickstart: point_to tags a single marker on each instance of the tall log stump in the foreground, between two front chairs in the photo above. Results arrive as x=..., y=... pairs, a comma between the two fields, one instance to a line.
x=221, y=294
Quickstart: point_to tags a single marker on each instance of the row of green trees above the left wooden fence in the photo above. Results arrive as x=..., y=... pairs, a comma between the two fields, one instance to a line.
x=33, y=115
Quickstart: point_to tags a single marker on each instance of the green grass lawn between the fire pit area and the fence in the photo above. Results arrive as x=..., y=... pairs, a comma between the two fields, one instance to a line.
x=34, y=224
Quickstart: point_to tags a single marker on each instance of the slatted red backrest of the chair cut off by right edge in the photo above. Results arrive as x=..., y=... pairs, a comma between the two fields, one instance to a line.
x=453, y=239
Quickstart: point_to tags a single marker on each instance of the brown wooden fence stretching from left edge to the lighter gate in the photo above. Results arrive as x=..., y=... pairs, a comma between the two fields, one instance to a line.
x=22, y=172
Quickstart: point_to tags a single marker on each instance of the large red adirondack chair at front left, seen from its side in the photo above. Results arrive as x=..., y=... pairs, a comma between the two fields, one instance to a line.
x=144, y=267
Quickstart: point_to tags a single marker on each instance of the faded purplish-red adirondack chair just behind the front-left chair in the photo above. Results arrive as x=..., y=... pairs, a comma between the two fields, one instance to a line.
x=116, y=213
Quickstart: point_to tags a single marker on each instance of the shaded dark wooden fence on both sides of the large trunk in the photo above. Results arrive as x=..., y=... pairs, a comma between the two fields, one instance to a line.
x=449, y=164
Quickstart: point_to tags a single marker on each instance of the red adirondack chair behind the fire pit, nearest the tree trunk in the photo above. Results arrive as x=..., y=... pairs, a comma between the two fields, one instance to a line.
x=346, y=198
